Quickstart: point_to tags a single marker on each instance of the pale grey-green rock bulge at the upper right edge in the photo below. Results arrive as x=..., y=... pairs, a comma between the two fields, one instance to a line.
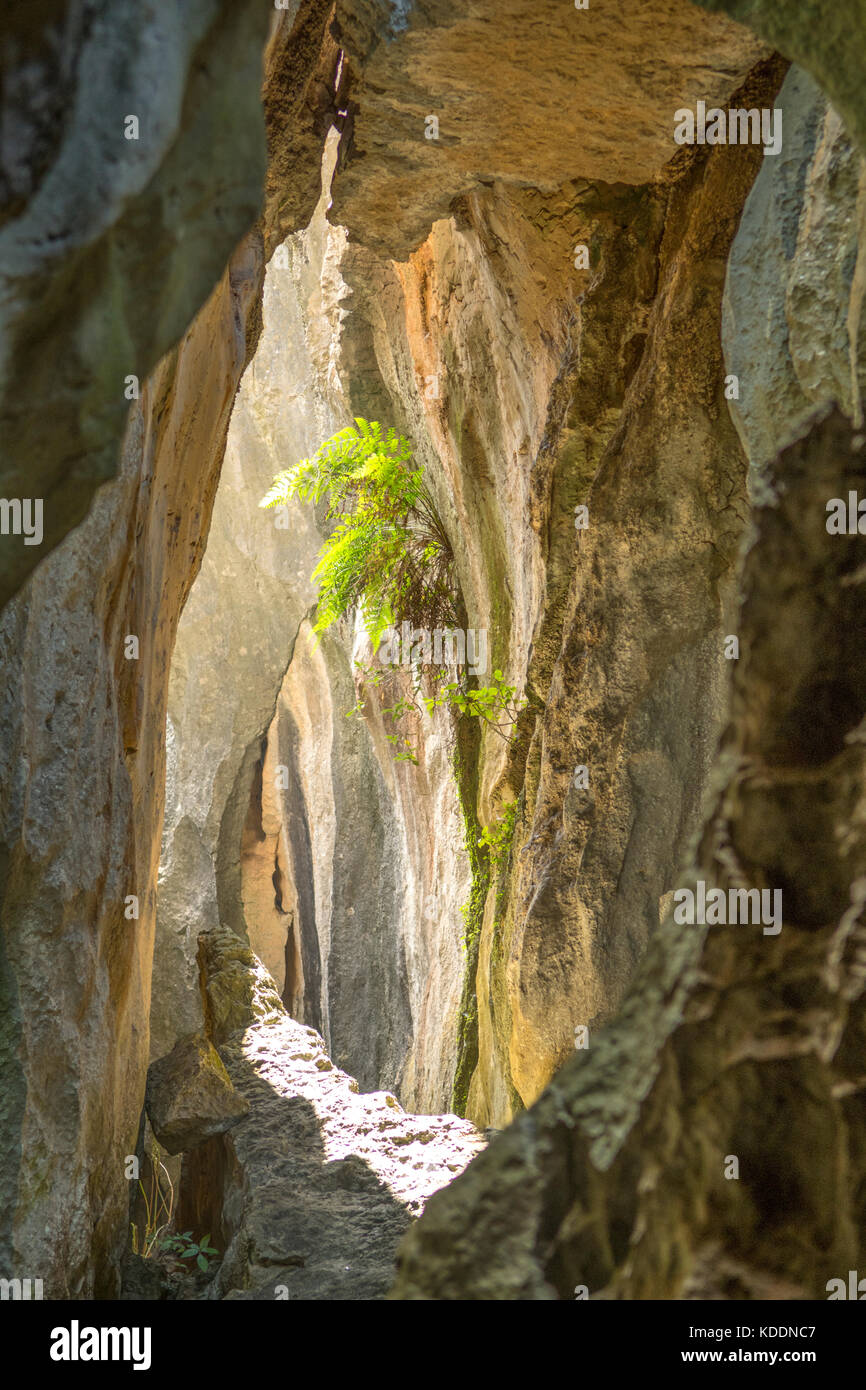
x=800, y=255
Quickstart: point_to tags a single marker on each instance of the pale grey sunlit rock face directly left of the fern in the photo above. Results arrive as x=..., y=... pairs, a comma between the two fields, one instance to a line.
x=237, y=636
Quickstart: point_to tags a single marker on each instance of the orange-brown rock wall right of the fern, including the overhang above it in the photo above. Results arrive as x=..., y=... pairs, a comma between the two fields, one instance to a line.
x=509, y=369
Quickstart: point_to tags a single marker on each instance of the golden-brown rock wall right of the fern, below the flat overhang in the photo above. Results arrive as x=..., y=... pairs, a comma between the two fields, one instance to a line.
x=593, y=394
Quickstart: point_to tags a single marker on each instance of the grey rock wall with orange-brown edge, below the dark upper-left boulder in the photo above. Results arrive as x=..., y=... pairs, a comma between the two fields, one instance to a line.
x=83, y=726
